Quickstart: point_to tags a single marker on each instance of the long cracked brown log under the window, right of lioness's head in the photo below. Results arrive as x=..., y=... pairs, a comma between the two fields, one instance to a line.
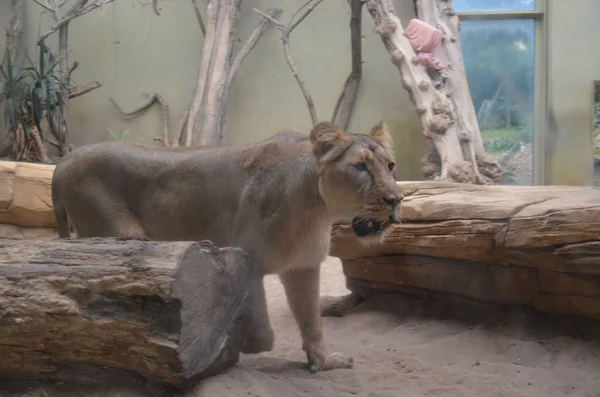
x=534, y=245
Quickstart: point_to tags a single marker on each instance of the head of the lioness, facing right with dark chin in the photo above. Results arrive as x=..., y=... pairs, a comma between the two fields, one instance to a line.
x=357, y=177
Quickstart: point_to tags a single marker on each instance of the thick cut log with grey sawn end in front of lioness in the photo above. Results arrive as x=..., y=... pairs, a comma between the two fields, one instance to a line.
x=169, y=311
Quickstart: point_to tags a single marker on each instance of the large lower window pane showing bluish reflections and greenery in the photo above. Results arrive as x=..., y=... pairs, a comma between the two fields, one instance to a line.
x=499, y=59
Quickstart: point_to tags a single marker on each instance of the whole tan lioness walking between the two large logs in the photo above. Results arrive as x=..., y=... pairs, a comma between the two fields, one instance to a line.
x=275, y=199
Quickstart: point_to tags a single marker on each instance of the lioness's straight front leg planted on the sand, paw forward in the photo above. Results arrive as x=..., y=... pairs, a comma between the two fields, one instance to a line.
x=302, y=291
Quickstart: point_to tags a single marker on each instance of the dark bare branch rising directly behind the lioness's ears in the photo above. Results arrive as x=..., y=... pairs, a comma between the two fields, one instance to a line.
x=345, y=103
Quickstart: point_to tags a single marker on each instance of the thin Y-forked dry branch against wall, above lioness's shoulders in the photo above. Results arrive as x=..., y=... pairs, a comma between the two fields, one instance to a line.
x=286, y=31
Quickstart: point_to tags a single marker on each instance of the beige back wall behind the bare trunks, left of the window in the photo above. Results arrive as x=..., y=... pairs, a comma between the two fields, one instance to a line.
x=134, y=52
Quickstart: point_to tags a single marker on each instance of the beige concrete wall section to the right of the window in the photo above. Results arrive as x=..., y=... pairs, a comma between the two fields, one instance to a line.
x=573, y=66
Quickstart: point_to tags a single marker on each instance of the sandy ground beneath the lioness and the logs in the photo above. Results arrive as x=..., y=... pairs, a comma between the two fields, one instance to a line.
x=402, y=346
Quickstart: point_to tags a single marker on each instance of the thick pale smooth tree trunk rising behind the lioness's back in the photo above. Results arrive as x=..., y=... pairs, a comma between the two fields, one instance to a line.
x=205, y=119
